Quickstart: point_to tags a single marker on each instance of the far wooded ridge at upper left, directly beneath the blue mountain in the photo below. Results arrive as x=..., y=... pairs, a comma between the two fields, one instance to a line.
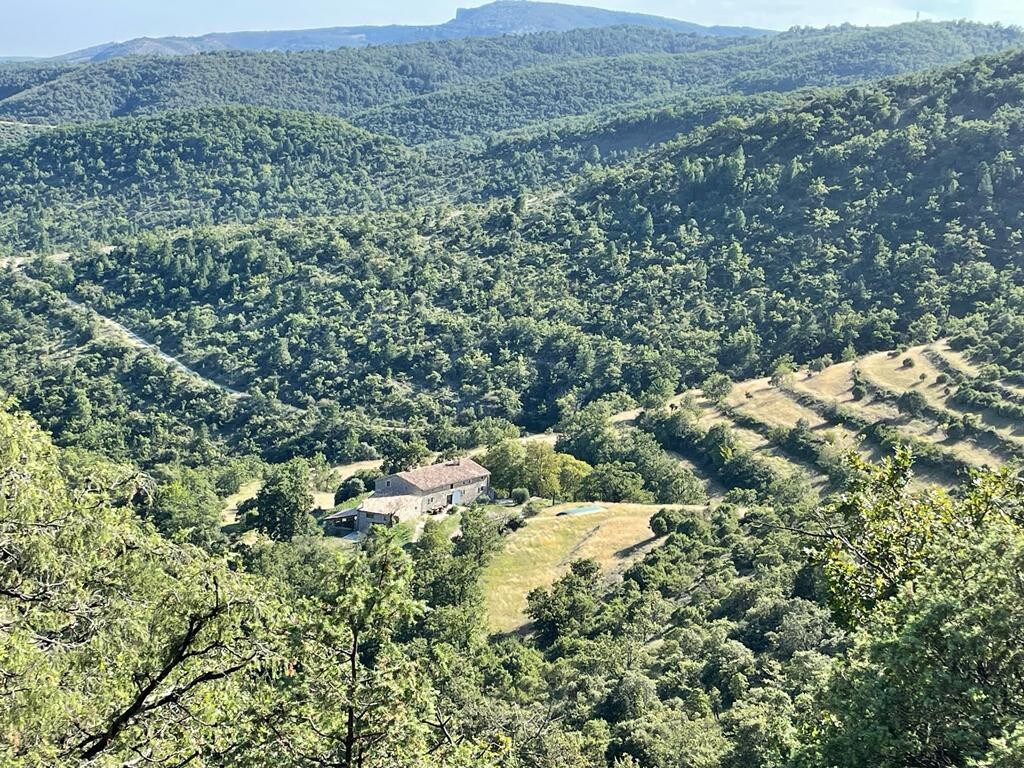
x=335, y=82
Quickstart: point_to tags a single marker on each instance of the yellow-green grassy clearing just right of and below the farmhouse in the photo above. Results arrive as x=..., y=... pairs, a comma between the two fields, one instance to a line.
x=538, y=554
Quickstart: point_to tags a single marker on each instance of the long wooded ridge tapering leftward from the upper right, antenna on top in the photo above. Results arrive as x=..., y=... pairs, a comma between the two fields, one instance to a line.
x=783, y=63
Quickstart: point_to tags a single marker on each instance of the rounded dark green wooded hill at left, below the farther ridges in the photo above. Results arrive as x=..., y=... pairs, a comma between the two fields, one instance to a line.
x=214, y=165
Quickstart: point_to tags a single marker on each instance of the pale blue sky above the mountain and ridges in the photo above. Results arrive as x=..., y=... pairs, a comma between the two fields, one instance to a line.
x=46, y=28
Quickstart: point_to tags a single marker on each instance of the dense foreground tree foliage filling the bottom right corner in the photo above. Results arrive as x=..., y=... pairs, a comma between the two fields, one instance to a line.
x=932, y=666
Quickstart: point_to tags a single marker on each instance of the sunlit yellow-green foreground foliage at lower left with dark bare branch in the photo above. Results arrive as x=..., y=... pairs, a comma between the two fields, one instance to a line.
x=110, y=628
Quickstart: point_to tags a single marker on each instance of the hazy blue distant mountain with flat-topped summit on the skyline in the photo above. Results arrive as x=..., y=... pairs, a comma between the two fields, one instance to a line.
x=493, y=20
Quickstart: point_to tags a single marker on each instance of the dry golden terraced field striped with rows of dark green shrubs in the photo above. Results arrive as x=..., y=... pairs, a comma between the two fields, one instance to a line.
x=869, y=406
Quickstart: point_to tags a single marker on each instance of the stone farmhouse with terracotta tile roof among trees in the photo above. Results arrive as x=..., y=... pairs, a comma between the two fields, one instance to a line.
x=433, y=490
